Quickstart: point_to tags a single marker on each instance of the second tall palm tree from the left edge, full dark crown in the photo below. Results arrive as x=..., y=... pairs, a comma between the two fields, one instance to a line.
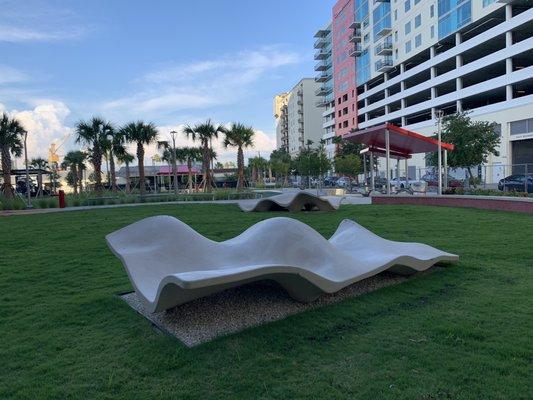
x=95, y=134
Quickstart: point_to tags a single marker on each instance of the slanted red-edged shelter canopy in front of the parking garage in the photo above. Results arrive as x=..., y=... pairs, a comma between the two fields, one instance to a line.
x=402, y=142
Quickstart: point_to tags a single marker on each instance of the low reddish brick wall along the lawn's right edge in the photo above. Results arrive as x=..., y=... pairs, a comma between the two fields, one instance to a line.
x=524, y=205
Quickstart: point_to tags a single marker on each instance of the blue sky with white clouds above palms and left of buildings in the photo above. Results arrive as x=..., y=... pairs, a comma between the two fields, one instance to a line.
x=171, y=62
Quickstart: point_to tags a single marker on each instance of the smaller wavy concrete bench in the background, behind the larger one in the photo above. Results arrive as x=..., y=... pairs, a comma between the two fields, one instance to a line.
x=292, y=201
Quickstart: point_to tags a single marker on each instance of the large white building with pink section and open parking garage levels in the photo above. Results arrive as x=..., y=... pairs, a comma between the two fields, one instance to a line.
x=414, y=58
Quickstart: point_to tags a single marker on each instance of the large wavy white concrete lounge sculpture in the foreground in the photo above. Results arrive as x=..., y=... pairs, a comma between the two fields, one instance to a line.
x=169, y=263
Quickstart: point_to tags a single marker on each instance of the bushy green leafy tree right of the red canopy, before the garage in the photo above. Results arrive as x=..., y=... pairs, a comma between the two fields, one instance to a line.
x=474, y=141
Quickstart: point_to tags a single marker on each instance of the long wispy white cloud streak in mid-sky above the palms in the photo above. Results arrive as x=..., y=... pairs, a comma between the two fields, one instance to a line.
x=226, y=80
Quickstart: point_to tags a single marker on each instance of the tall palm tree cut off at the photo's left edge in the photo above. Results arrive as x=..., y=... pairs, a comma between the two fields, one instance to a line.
x=11, y=143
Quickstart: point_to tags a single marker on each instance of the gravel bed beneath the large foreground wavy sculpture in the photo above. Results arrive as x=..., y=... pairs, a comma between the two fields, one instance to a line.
x=236, y=309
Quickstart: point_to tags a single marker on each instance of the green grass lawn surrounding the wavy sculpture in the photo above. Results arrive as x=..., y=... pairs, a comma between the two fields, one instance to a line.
x=462, y=332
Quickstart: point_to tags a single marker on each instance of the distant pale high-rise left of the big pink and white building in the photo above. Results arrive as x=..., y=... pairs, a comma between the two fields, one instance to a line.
x=302, y=115
